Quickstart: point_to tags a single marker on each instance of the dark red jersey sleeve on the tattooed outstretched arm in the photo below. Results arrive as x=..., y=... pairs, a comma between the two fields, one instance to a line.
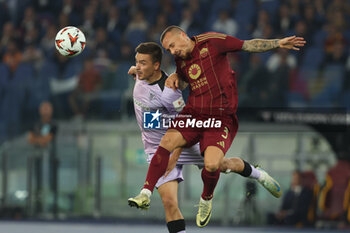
x=225, y=43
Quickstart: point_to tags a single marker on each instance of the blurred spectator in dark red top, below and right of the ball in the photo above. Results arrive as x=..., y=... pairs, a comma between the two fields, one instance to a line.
x=89, y=82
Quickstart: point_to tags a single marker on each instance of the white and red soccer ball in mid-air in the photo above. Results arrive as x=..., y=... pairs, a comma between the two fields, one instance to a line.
x=70, y=41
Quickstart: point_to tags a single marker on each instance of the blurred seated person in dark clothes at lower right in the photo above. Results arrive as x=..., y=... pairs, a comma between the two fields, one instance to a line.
x=295, y=204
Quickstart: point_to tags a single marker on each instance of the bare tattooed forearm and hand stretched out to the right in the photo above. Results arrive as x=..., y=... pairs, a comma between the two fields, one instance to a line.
x=262, y=45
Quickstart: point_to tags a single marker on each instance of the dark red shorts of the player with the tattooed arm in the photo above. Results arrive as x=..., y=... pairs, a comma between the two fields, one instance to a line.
x=214, y=135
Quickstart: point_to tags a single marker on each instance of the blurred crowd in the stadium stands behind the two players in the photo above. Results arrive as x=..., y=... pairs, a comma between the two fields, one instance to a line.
x=95, y=84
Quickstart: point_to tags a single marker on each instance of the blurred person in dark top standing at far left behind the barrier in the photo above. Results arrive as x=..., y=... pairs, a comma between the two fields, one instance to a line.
x=43, y=131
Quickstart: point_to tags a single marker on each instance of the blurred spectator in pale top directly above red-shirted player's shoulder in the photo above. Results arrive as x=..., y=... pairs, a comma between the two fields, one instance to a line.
x=225, y=24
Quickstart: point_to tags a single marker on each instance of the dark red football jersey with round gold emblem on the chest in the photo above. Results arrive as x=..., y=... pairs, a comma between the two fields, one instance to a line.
x=212, y=82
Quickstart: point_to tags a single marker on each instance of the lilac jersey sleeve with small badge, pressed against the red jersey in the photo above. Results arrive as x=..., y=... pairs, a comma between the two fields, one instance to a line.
x=172, y=100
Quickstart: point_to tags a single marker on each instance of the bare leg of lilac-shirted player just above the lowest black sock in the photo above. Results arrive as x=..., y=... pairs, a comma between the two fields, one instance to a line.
x=168, y=194
